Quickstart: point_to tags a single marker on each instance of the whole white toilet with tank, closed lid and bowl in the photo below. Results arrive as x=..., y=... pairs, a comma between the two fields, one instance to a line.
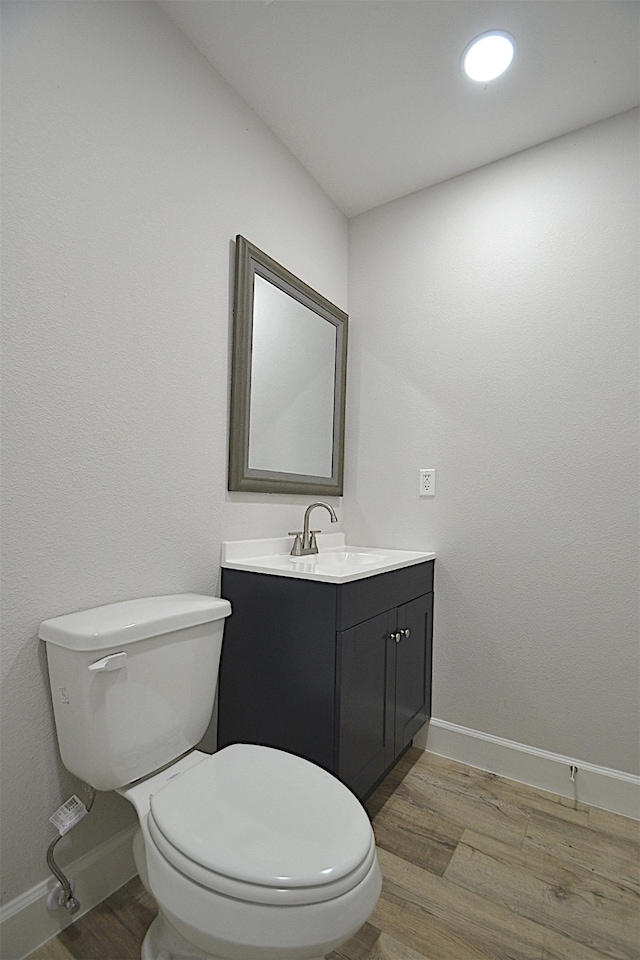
x=251, y=853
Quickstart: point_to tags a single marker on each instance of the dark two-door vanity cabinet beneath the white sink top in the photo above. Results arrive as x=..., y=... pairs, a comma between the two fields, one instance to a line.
x=337, y=673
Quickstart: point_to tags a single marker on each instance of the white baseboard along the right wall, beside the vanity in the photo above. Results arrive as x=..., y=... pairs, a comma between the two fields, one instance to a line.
x=599, y=786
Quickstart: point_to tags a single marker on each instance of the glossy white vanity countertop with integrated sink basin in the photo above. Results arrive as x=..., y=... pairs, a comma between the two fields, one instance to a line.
x=335, y=562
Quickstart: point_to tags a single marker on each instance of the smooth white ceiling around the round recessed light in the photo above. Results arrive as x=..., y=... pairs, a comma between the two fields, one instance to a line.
x=369, y=95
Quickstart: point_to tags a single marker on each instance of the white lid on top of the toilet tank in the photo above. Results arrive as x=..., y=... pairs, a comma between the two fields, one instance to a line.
x=118, y=624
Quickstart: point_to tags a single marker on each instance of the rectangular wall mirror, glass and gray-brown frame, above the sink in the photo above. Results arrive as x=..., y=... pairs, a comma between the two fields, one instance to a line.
x=288, y=375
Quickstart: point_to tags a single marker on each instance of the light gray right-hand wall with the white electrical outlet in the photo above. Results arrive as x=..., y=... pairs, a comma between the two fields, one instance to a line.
x=494, y=336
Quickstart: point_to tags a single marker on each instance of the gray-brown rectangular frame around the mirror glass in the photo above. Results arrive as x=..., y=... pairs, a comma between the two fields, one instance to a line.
x=250, y=261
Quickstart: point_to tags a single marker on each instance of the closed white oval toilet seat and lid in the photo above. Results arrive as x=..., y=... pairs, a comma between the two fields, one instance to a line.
x=262, y=825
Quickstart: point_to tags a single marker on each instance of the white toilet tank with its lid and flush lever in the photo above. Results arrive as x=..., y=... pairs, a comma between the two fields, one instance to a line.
x=133, y=683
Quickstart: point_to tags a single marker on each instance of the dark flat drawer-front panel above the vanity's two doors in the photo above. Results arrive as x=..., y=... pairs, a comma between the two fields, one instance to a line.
x=359, y=600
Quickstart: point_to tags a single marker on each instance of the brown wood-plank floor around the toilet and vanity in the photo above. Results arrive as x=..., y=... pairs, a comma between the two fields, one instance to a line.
x=475, y=868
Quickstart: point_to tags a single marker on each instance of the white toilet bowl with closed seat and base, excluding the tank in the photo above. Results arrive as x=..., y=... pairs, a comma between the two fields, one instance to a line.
x=252, y=851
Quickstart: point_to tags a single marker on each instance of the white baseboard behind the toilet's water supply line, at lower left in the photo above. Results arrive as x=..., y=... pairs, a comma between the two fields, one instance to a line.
x=26, y=922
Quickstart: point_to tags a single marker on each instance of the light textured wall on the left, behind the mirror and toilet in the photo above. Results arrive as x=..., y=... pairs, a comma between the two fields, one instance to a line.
x=129, y=167
